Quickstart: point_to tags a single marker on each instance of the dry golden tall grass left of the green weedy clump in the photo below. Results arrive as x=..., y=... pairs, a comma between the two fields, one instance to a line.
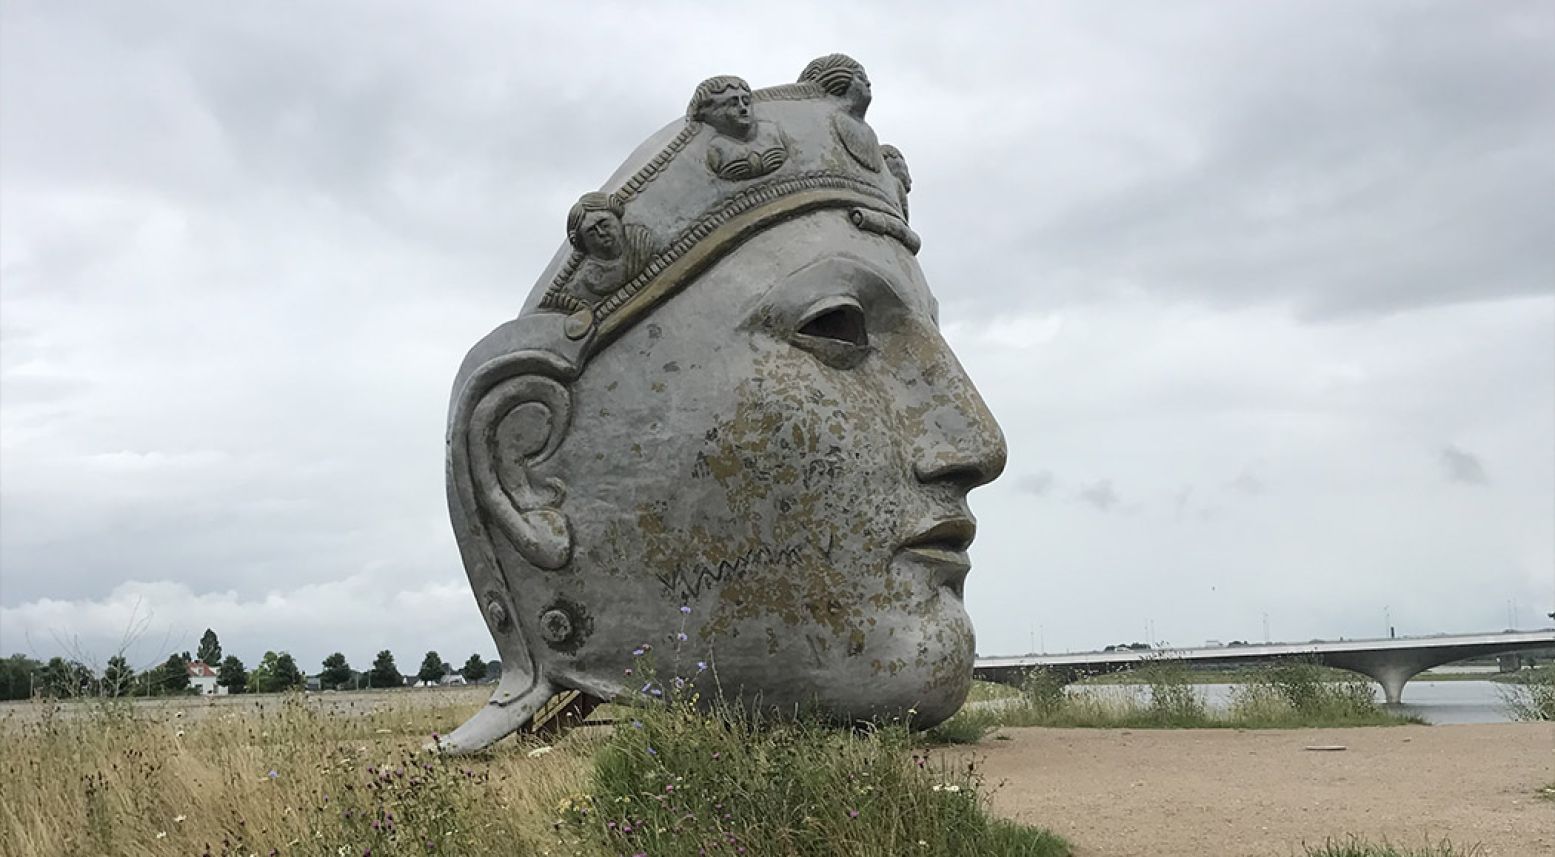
x=114, y=780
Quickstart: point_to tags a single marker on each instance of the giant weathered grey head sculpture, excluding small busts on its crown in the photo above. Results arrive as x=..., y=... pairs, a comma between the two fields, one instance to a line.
x=761, y=439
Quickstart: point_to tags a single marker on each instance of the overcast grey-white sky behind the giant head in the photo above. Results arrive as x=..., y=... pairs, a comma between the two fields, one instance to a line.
x=1262, y=293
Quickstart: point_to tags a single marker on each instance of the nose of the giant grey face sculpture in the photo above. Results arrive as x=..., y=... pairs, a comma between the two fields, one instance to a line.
x=959, y=439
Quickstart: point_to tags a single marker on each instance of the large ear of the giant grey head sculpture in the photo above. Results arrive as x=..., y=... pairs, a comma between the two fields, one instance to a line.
x=515, y=425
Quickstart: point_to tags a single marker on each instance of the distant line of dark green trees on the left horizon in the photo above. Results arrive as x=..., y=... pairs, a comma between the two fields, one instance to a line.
x=24, y=677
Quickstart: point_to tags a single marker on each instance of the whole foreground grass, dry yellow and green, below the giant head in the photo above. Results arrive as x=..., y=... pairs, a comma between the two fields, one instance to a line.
x=306, y=777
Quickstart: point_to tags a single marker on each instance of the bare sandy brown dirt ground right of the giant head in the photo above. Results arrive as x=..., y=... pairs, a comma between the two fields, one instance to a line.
x=1232, y=794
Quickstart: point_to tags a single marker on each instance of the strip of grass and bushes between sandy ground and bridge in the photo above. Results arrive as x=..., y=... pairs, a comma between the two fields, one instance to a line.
x=1282, y=696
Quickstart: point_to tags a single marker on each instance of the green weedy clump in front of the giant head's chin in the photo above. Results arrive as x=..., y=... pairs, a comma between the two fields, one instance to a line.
x=674, y=780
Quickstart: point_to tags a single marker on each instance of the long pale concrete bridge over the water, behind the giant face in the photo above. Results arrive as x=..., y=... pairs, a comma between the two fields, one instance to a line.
x=1389, y=662
